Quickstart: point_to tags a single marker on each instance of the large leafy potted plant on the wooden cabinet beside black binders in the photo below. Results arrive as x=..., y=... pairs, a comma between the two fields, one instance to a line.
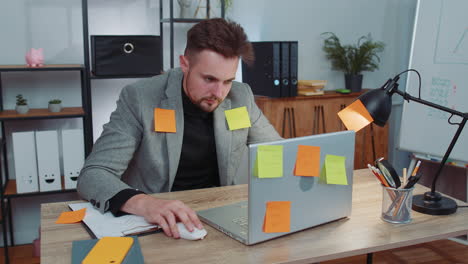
x=353, y=59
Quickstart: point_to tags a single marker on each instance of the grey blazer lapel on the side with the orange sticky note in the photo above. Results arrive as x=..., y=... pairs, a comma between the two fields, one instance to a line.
x=174, y=140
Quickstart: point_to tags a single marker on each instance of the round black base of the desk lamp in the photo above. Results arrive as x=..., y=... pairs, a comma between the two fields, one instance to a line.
x=434, y=204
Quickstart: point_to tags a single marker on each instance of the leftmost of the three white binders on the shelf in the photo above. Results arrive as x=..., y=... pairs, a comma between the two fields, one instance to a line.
x=24, y=153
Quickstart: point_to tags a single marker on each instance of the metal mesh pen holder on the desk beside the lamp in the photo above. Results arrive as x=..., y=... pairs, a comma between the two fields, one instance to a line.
x=396, y=205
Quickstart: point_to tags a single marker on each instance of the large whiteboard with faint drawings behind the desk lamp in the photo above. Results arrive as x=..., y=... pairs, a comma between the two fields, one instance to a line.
x=440, y=53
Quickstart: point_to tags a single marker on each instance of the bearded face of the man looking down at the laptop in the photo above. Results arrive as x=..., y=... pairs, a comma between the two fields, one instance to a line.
x=208, y=78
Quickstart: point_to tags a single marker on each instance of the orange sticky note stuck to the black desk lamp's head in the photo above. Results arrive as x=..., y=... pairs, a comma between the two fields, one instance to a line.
x=355, y=116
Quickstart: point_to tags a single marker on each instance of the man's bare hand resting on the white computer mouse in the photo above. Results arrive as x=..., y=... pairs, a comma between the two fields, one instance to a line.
x=164, y=213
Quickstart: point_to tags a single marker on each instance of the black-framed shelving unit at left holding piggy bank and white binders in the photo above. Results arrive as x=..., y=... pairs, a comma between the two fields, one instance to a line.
x=7, y=185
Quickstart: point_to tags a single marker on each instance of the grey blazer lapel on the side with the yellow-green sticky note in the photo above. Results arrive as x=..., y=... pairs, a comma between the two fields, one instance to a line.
x=223, y=141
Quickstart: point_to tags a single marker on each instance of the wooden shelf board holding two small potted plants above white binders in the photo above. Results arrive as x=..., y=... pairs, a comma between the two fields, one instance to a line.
x=42, y=113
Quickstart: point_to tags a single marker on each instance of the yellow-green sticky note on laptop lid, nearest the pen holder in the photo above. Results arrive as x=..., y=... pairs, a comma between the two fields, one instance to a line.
x=334, y=170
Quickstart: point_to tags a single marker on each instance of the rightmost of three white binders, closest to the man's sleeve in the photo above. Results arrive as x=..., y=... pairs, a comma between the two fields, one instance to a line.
x=73, y=155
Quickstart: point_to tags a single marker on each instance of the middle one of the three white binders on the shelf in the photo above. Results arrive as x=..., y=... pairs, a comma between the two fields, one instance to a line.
x=48, y=163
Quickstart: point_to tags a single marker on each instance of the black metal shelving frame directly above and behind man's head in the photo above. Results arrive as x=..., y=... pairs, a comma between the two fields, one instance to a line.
x=171, y=20
